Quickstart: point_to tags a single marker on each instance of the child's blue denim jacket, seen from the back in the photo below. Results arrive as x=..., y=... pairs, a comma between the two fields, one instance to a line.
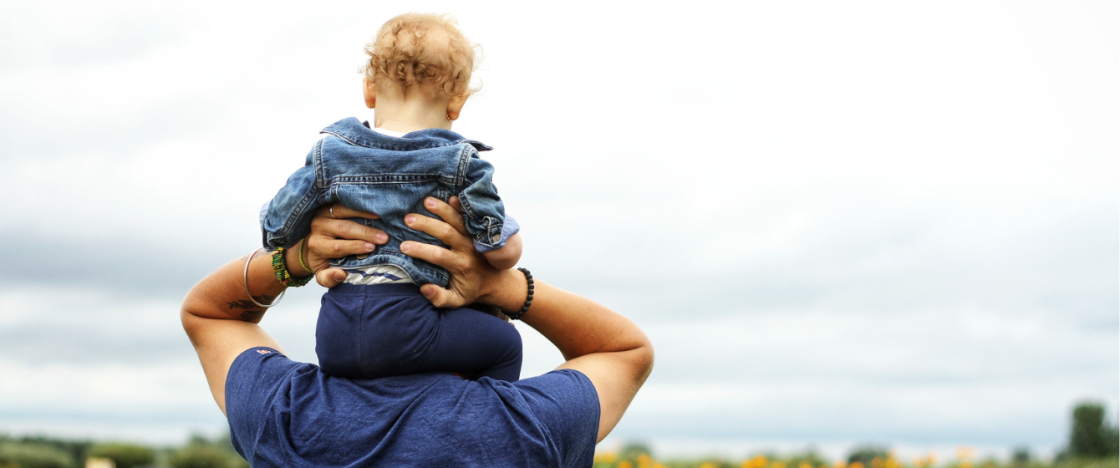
x=375, y=173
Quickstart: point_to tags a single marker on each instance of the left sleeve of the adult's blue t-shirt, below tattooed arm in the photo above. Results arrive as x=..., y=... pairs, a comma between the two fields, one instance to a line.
x=251, y=386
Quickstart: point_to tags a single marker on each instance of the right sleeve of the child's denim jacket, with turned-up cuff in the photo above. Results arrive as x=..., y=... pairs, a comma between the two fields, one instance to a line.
x=483, y=211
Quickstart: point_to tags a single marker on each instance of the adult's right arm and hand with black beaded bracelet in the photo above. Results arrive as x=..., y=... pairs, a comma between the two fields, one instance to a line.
x=606, y=348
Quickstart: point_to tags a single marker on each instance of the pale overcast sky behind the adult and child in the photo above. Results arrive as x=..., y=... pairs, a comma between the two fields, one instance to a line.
x=839, y=223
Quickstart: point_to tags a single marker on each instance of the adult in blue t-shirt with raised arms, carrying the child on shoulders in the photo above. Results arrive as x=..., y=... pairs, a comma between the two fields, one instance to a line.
x=286, y=414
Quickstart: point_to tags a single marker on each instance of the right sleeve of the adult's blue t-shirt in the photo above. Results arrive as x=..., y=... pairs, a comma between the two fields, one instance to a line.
x=566, y=403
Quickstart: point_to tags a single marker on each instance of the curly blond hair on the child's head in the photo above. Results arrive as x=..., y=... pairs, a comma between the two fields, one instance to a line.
x=423, y=51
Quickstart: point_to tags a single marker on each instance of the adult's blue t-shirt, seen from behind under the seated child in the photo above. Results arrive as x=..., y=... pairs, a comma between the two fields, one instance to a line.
x=284, y=414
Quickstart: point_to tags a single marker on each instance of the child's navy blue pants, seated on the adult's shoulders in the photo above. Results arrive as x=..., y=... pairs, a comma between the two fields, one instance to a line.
x=375, y=331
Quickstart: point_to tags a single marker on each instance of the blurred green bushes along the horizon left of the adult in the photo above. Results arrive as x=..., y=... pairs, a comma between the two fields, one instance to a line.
x=46, y=453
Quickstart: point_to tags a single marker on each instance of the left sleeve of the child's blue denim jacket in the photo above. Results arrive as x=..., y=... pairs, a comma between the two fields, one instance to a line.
x=288, y=218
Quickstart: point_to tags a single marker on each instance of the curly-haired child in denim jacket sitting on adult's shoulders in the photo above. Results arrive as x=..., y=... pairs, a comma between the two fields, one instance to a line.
x=377, y=323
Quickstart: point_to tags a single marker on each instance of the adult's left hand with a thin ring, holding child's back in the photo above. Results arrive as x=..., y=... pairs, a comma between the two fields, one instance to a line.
x=334, y=236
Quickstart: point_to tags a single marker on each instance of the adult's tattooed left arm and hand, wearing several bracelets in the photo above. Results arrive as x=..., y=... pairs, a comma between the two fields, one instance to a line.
x=219, y=316
